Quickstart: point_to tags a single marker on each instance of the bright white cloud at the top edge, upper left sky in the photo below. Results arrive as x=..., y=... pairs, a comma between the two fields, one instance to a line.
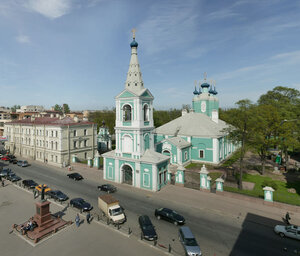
x=50, y=8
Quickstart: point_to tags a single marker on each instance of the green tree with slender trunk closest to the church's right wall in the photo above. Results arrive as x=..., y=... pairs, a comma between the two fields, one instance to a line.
x=239, y=131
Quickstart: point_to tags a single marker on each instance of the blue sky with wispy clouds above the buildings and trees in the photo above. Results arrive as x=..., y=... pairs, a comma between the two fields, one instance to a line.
x=77, y=51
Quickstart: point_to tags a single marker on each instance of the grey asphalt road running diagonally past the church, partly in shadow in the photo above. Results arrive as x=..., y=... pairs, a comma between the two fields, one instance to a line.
x=216, y=233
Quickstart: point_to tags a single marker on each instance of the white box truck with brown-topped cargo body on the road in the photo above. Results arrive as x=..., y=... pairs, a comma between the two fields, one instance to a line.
x=111, y=209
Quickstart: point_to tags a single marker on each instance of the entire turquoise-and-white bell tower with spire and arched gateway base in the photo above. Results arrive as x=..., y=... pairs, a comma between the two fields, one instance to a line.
x=134, y=161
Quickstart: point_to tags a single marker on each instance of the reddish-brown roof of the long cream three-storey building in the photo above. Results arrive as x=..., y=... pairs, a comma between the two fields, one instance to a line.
x=50, y=121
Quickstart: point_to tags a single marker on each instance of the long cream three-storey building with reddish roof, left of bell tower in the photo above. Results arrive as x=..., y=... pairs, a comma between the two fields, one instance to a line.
x=53, y=140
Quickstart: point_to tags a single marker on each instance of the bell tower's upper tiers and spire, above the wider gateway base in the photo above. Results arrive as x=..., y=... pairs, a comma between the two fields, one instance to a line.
x=134, y=112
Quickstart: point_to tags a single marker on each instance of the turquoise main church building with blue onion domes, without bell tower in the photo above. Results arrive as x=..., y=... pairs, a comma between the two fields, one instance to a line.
x=198, y=135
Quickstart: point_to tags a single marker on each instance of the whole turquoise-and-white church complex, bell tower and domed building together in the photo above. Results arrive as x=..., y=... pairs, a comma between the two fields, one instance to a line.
x=144, y=156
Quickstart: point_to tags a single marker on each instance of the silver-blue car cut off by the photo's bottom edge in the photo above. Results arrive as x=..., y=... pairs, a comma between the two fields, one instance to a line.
x=189, y=242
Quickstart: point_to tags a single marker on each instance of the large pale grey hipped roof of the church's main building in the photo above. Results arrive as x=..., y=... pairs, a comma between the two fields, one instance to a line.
x=193, y=124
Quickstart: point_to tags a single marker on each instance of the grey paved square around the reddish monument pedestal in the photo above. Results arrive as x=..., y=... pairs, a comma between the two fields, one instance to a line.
x=17, y=205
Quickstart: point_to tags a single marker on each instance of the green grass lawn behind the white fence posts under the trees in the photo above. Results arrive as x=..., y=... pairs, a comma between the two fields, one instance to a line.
x=280, y=194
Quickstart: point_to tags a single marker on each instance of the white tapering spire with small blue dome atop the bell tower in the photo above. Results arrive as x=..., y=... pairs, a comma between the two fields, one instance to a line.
x=134, y=81
